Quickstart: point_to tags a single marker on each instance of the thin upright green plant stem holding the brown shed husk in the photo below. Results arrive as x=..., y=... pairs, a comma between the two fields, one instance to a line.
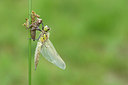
x=29, y=44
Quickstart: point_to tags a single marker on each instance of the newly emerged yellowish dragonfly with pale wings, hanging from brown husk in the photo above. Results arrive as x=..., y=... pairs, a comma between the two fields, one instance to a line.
x=46, y=48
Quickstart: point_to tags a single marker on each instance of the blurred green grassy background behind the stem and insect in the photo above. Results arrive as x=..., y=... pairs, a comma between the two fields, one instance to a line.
x=90, y=36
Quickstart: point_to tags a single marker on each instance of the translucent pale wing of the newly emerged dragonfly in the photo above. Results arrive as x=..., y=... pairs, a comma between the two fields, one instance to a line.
x=49, y=52
